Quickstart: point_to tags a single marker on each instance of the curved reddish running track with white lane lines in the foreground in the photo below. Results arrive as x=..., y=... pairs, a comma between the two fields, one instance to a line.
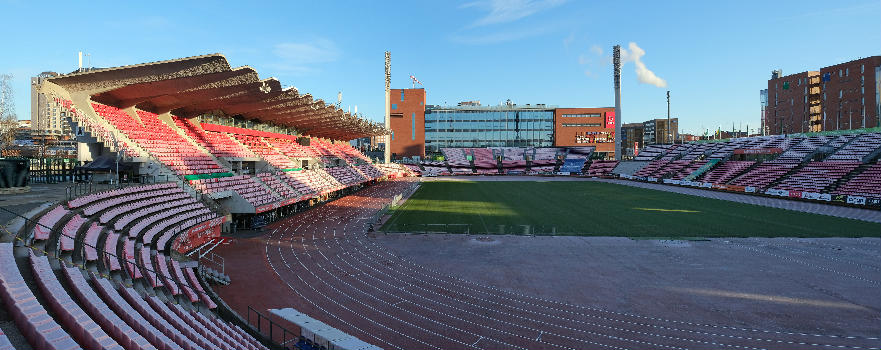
x=321, y=262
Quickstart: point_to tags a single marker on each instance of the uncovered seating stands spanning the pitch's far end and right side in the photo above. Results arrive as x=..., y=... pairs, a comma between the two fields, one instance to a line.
x=839, y=167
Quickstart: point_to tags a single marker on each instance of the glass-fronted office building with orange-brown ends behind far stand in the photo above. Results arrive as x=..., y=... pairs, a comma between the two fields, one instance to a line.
x=419, y=128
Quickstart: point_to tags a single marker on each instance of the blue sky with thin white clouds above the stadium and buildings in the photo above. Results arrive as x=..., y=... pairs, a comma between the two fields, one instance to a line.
x=714, y=56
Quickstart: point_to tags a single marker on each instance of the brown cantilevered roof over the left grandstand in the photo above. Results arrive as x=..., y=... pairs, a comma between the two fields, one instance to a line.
x=191, y=86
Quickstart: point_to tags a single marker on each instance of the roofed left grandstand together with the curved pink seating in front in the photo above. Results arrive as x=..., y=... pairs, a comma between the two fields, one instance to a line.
x=206, y=148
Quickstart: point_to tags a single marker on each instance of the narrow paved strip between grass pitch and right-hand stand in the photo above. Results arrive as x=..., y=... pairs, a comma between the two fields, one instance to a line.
x=807, y=207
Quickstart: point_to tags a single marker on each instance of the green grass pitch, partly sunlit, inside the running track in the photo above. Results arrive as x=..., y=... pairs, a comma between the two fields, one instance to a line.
x=603, y=209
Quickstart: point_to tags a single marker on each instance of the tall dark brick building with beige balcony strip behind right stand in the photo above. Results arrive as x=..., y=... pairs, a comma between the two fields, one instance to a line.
x=839, y=97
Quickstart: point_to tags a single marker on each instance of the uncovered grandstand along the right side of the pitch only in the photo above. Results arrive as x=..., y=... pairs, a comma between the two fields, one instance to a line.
x=834, y=167
